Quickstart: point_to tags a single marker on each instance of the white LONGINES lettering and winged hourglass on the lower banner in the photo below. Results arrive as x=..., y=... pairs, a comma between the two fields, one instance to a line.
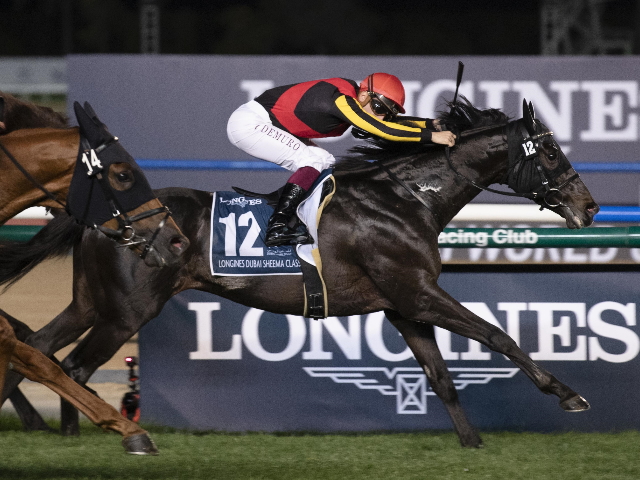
x=563, y=331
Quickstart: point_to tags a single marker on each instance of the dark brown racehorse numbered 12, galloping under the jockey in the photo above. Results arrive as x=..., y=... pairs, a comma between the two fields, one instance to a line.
x=378, y=242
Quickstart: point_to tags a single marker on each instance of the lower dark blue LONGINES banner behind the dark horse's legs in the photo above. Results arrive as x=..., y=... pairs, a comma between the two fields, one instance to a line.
x=208, y=363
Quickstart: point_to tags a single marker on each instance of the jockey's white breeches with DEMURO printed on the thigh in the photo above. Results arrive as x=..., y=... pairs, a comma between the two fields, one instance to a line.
x=250, y=129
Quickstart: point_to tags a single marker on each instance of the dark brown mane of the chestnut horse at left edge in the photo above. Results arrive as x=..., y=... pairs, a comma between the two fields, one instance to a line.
x=22, y=114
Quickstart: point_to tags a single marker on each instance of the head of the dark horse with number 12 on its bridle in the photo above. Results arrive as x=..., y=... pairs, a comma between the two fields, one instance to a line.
x=551, y=178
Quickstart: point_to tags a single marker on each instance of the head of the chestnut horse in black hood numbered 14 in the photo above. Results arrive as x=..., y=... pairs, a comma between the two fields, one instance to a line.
x=110, y=192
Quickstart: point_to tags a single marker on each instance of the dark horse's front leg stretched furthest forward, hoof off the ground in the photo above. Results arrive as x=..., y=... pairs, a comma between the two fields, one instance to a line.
x=434, y=306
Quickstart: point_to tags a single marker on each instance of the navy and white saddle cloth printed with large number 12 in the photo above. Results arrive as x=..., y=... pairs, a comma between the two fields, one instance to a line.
x=238, y=226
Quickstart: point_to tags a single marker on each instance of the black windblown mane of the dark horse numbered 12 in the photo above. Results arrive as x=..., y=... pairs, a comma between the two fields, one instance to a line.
x=461, y=116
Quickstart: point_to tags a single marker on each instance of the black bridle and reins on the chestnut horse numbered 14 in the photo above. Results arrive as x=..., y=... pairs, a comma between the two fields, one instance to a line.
x=126, y=231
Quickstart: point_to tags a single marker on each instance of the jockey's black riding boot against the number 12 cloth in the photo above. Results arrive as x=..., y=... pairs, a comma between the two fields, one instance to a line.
x=278, y=230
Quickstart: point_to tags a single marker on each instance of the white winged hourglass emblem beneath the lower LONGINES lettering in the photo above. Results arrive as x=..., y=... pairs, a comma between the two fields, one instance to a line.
x=410, y=387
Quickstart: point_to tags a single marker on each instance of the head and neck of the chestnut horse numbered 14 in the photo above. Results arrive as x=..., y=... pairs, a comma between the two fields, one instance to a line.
x=52, y=167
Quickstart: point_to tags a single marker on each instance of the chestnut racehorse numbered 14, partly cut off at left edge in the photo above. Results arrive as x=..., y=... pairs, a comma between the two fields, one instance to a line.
x=40, y=159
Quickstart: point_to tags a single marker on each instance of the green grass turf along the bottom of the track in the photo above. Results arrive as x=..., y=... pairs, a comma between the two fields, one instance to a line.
x=98, y=455
